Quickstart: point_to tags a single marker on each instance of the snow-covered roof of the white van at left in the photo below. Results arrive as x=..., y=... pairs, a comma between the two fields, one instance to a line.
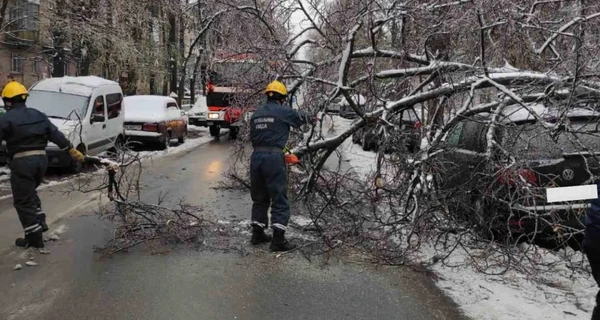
x=81, y=86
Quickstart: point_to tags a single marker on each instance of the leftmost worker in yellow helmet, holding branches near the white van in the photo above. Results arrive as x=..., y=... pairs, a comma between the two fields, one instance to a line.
x=26, y=132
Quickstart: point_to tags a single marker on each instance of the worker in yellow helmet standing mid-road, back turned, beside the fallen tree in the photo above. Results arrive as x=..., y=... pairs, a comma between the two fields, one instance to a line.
x=269, y=131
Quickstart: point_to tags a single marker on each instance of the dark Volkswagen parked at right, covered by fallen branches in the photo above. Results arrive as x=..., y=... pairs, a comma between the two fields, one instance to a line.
x=515, y=193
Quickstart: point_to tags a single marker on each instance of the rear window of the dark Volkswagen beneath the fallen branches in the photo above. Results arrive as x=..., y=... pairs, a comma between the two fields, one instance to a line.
x=531, y=141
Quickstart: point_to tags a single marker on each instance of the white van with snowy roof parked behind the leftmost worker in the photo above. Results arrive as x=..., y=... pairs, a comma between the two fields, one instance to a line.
x=88, y=110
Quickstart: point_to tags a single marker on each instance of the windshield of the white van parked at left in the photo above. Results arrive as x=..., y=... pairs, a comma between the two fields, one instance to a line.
x=59, y=105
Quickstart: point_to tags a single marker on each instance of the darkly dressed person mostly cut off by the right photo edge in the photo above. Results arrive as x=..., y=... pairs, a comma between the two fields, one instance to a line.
x=591, y=245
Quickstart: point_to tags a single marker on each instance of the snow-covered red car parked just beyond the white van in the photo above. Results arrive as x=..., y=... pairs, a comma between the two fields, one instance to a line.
x=154, y=120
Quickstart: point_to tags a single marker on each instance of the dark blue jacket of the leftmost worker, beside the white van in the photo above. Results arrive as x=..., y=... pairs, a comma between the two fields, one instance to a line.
x=26, y=129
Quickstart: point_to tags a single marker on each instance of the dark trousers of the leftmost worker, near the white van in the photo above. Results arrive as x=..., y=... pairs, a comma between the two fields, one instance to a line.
x=26, y=174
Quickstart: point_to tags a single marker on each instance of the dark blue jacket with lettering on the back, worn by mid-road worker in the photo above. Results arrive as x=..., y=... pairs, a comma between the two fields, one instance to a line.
x=270, y=124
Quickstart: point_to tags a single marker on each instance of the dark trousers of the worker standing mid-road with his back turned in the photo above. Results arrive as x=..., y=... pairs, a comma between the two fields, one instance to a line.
x=268, y=179
